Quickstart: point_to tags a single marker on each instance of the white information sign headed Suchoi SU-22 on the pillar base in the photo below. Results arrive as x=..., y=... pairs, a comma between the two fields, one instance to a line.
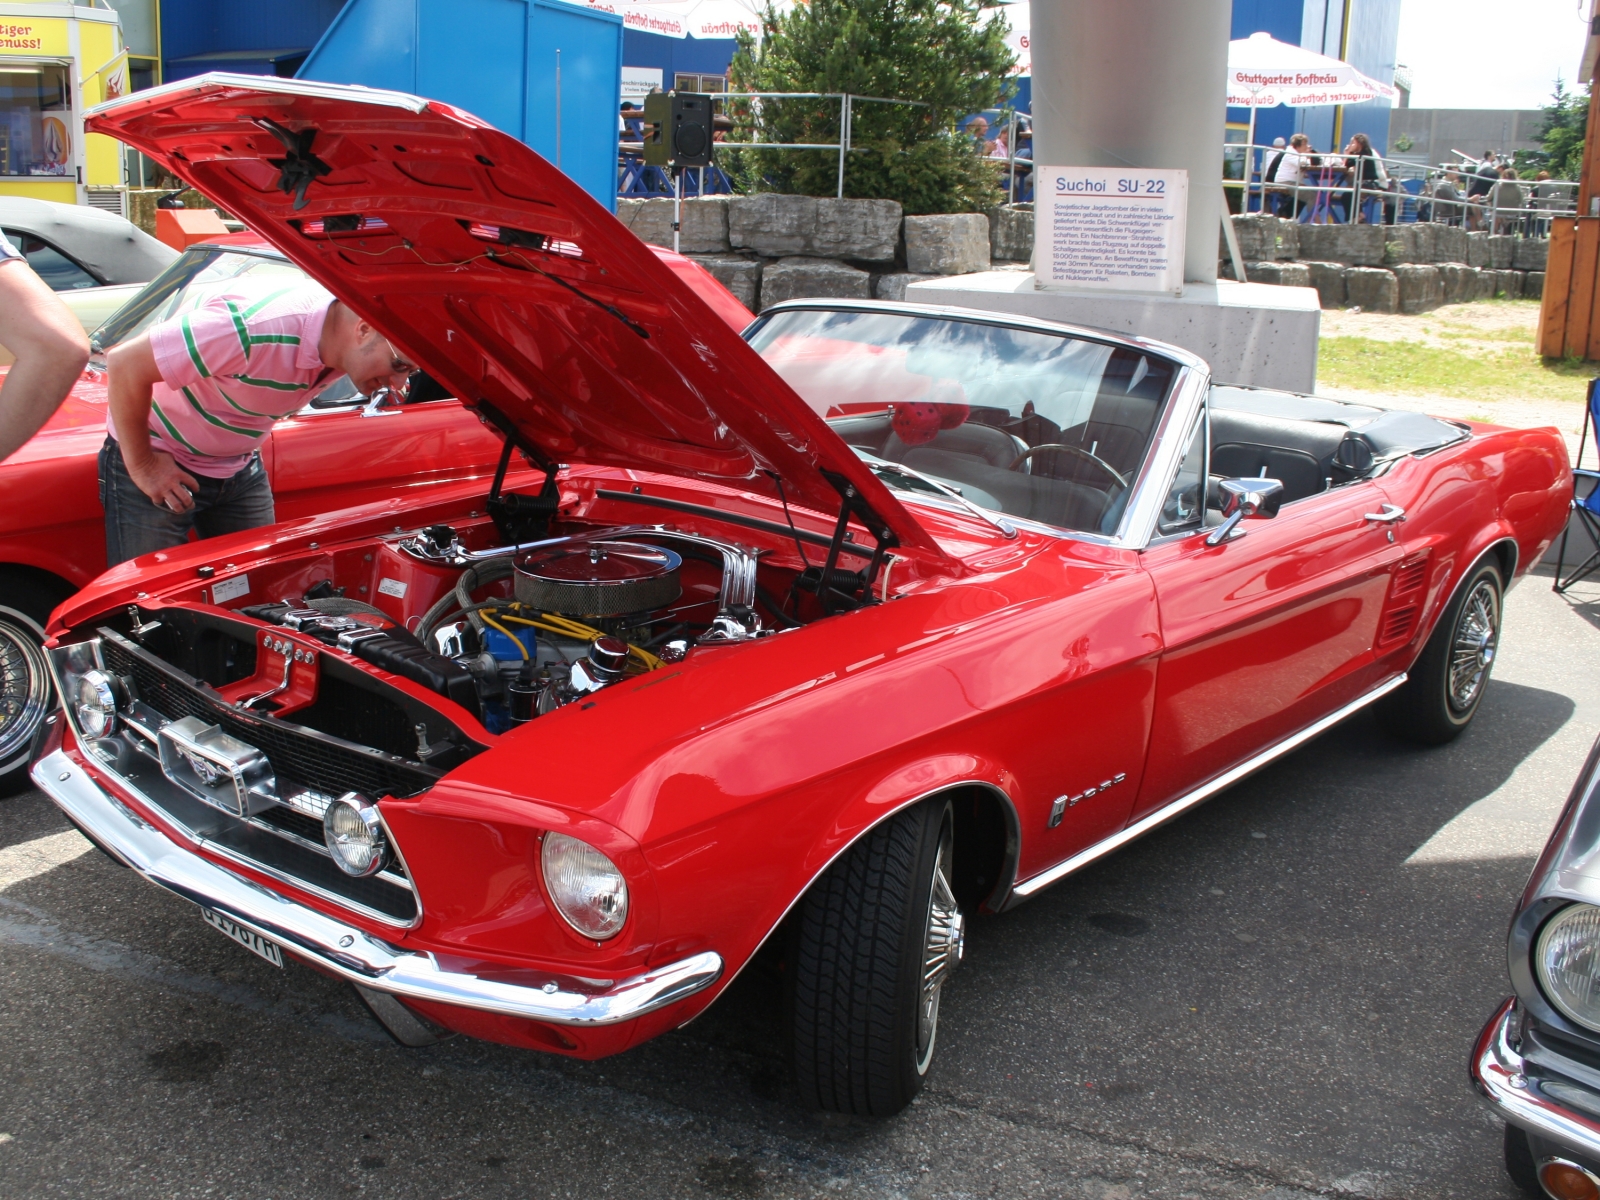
x=1110, y=228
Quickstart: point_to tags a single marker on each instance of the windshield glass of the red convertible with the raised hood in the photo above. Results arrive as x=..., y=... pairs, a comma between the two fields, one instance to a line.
x=1033, y=425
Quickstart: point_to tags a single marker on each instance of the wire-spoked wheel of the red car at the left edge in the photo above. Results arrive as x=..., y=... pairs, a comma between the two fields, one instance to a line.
x=26, y=690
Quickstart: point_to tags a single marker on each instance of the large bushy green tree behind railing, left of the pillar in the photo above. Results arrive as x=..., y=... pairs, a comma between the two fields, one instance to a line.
x=950, y=55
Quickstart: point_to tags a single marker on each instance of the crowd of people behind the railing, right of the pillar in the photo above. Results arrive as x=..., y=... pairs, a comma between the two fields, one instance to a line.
x=1354, y=186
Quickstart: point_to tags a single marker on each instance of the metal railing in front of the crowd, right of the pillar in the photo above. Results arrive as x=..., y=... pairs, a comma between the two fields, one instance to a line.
x=1330, y=186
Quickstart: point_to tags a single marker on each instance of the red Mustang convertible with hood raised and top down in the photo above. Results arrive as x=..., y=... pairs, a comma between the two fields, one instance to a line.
x=823, y=639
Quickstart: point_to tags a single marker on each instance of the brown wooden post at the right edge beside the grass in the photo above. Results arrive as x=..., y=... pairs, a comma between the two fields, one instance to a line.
x=1570, y=311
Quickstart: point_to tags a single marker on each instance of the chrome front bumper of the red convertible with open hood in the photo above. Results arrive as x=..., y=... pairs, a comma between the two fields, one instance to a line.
x=346, y=950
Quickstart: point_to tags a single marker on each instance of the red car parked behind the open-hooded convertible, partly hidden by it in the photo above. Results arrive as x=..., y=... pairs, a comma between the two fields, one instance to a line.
x=329, y=455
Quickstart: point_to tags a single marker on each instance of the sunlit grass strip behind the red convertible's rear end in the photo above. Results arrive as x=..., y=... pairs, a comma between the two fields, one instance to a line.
x=1412, y=369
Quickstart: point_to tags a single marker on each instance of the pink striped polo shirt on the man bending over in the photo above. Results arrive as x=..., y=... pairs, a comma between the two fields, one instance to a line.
x=233, y=364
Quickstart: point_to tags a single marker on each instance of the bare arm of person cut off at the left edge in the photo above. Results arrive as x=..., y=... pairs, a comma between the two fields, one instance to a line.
x=50, y=351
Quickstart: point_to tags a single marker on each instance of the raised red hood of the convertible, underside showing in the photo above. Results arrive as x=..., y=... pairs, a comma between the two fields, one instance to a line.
x=502, y=278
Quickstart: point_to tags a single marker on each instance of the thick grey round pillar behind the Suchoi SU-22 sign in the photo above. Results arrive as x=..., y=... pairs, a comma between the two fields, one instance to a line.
x=1138, y=84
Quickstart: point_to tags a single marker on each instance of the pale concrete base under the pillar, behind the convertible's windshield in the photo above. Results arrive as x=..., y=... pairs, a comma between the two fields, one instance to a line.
x=1252, y=334
